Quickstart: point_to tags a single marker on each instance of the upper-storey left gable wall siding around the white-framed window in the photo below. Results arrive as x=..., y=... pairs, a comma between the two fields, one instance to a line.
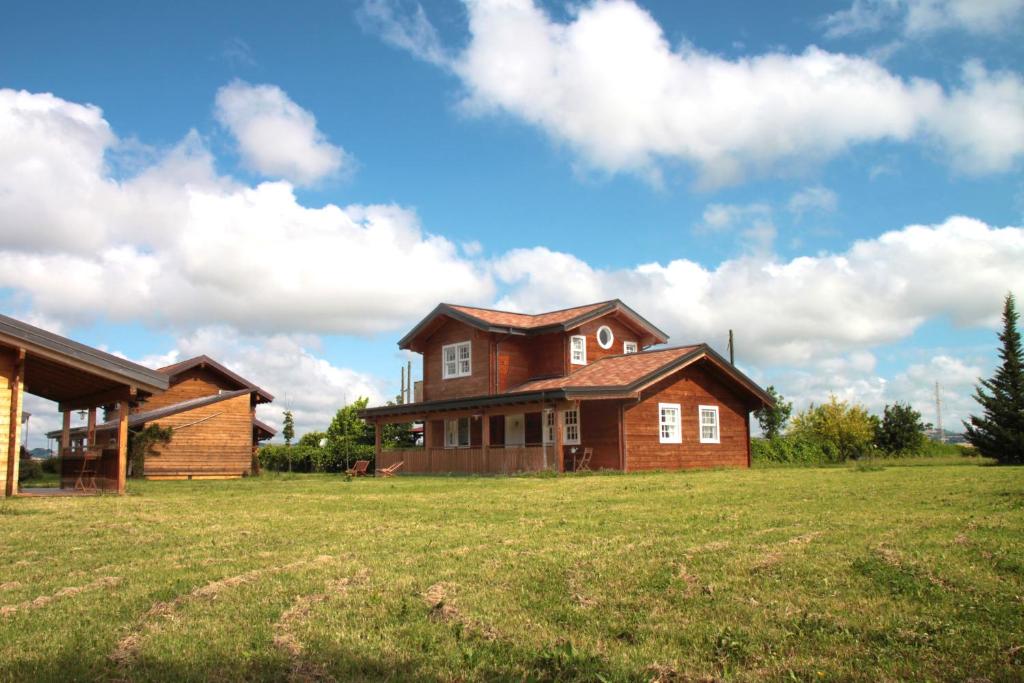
x=479, y=383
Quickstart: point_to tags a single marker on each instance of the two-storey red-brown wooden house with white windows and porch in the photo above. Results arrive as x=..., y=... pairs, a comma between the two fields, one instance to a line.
x=506, y=393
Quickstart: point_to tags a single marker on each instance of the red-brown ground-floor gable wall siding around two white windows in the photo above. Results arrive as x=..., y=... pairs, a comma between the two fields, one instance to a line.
x=701, y=385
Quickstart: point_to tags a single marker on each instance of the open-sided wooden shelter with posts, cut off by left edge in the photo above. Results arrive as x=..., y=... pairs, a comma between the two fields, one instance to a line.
x=78, y=378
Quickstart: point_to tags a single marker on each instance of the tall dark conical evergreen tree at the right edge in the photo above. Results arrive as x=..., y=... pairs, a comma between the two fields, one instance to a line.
x=1000, y=432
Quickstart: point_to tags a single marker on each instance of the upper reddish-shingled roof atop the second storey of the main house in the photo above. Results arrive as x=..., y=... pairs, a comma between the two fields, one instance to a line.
x=565, y=320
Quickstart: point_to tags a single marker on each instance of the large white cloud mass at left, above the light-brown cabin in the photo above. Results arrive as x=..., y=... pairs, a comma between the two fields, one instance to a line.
x=178, y=245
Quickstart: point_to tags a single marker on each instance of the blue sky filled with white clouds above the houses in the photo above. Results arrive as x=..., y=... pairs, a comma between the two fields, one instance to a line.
x=289, y=188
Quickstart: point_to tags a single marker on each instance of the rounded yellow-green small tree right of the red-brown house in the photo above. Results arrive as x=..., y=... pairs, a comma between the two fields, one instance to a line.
x=844, y=432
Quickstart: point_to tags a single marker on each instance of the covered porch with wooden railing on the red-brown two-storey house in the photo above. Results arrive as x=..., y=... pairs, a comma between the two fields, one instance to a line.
x=499, y=437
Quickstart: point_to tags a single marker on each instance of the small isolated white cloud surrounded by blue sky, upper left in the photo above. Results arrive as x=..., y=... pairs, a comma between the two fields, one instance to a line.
x=277, y=138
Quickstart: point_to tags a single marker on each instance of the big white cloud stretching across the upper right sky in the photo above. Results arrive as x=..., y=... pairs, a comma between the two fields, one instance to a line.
x=608, y=84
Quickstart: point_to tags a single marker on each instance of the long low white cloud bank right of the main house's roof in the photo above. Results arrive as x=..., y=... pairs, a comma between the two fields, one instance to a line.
x=803, y=311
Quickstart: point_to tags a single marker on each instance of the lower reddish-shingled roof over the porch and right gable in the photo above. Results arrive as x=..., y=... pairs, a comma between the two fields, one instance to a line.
x=611, y=377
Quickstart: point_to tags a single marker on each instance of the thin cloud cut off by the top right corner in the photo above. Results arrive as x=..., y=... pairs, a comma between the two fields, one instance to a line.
x=923, y=18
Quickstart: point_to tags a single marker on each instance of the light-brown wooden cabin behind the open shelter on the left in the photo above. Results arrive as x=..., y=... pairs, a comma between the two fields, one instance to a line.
x=212, y=413
